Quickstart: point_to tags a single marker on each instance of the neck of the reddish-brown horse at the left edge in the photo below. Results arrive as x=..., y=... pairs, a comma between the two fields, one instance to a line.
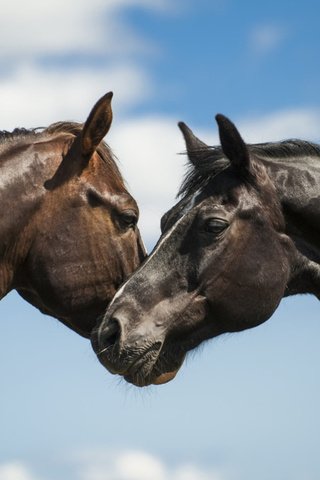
x=23, y=171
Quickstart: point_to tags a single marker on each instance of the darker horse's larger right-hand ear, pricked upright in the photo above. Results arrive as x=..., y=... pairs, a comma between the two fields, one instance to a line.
x=233, y=145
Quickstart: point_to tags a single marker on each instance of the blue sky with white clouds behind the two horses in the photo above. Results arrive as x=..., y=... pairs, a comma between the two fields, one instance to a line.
x=244, y=406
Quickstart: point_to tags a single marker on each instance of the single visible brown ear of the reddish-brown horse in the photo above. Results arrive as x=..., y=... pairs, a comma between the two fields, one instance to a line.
x=97, y=125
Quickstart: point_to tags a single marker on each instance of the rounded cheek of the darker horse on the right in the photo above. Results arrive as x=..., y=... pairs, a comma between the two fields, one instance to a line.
x=248, y=293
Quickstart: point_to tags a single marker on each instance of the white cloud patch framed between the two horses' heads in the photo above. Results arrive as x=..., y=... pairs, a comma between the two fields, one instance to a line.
x=148, y=151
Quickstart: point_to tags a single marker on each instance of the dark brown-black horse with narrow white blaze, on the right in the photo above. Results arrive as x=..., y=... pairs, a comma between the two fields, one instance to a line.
x=244, y=234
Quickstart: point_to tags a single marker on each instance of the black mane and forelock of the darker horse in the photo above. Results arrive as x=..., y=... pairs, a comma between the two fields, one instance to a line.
x=210, y=161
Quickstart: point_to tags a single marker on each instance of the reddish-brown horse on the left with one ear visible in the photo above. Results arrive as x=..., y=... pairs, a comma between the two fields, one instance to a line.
x=68, y=228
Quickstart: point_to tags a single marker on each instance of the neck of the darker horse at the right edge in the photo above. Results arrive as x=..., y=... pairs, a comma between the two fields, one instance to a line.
x=297, y=181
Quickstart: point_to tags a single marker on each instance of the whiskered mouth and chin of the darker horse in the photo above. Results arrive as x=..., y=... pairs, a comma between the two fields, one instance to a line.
x=153, y=367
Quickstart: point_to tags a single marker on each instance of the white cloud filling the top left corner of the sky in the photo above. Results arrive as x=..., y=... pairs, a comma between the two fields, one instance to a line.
x=67, y=26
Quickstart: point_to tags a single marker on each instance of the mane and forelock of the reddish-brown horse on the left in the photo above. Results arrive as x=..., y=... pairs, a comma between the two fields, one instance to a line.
x=73, y=128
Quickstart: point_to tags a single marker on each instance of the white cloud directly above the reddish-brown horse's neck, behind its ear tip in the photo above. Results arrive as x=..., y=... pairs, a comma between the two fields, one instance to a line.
x=32, y=96
